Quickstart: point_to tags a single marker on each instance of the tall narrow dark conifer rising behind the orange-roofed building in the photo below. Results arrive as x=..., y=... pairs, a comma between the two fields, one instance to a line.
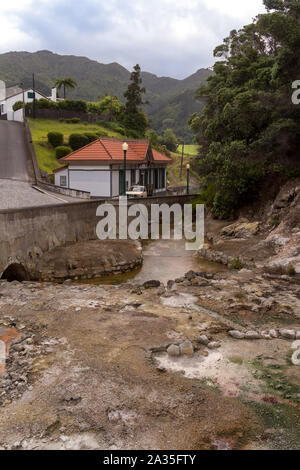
x=133, y=117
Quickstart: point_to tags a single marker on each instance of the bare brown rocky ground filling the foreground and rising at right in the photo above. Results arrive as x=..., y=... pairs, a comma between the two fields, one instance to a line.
x=206, y=361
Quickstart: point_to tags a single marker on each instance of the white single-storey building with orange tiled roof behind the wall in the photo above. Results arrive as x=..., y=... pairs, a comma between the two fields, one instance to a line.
x=99, y=168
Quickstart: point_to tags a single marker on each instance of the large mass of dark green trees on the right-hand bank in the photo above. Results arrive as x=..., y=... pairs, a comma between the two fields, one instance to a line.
x=249, y=130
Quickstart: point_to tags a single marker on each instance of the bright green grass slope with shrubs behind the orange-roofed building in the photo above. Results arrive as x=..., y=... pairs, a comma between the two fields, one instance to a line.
x=46, y=153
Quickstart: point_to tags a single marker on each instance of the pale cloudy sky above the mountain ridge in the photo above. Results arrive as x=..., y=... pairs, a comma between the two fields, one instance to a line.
x=166, y=37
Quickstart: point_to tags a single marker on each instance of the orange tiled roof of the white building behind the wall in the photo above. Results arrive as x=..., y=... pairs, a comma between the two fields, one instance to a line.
x=110, y=150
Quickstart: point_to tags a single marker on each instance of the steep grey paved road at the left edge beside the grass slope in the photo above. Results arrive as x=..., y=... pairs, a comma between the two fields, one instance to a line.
x=13, y=156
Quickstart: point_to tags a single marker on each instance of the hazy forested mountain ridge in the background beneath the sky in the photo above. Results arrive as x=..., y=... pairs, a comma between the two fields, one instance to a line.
x=170, y=101
